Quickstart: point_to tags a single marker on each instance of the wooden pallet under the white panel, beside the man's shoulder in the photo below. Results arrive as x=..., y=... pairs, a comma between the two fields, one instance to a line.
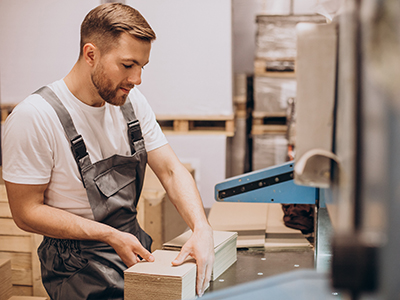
x=197, y=124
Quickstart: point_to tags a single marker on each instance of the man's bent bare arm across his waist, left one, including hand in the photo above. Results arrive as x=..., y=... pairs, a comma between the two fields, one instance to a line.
x=31, y=214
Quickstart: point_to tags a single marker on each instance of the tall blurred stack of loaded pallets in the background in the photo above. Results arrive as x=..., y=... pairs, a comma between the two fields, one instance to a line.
x=274, y=85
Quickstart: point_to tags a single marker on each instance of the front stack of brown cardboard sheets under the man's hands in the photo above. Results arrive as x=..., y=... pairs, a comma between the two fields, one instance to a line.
x=161, y=280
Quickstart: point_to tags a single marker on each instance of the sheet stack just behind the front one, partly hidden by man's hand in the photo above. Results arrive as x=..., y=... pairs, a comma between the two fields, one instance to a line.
x=224, y=247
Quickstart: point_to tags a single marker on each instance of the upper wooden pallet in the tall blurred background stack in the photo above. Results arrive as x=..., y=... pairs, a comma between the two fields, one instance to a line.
x=282, y=68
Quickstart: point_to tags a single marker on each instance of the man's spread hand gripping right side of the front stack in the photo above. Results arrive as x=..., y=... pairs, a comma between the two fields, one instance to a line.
x=200, y=246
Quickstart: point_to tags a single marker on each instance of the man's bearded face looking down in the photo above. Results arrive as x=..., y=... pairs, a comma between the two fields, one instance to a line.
x=120, y=69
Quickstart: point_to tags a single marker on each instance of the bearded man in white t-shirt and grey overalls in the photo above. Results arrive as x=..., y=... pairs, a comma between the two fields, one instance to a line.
x=74, y=155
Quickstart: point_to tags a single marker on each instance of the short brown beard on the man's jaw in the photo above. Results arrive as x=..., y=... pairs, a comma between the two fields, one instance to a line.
x=105, y=87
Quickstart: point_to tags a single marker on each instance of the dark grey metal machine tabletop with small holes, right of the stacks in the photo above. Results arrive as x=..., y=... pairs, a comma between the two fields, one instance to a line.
x=256, y=263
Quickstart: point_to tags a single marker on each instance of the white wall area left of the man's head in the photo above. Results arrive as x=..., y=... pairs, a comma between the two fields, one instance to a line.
x=39, y=43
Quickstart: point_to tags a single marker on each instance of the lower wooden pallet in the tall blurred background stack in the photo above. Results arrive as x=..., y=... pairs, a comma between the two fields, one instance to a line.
x=267, y=122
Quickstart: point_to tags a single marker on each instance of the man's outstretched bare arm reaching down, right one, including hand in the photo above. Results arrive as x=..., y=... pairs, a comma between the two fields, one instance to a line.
x=182, y=191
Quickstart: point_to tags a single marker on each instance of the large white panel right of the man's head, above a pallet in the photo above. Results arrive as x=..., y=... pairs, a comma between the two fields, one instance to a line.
x=190, y=69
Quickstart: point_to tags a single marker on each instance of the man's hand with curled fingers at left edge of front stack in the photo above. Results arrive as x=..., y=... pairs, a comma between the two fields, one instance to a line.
x=128, y=247
